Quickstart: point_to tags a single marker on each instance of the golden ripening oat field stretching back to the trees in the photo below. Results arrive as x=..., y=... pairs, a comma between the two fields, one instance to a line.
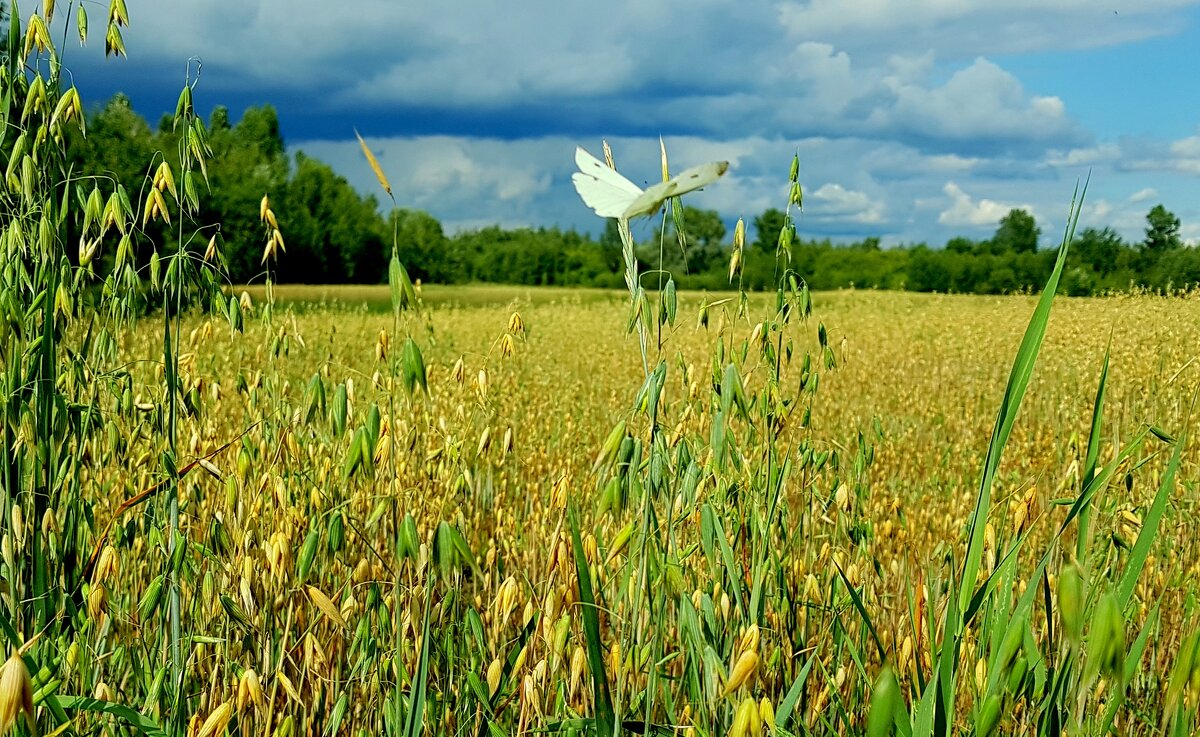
x=352, y=524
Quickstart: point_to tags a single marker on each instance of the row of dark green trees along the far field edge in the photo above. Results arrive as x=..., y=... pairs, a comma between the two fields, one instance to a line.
x=334, y=235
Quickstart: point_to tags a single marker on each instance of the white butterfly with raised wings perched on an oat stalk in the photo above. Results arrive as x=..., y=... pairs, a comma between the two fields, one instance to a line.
x=611, y=195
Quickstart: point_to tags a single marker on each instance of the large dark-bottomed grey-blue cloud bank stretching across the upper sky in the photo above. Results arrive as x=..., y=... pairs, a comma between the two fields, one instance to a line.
x=717, y=70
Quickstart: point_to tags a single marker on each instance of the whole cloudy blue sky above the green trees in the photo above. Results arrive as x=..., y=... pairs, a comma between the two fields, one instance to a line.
x=915, y=121
